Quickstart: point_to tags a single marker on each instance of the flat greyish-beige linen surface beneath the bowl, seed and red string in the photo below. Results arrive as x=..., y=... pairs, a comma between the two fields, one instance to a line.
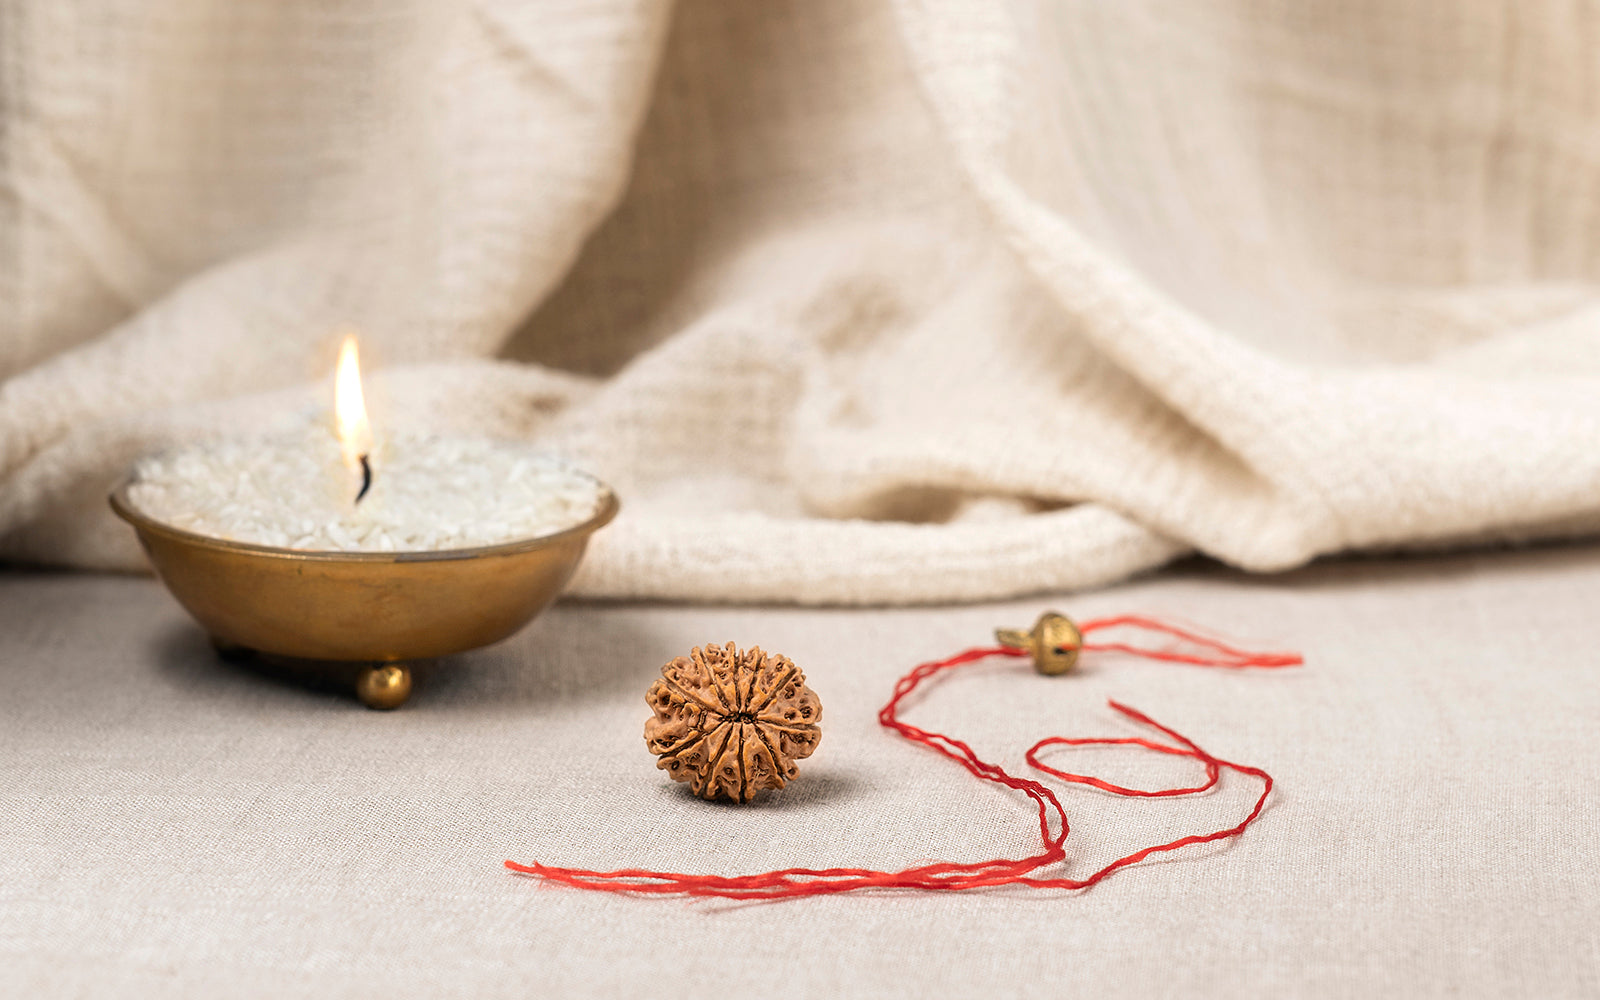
x=182, y=828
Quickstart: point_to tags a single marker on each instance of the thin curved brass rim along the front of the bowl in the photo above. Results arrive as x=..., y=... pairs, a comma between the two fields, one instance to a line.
x=145, y=524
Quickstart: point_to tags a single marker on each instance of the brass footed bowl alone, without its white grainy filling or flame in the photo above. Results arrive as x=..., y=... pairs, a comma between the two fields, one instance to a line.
x=375, y=610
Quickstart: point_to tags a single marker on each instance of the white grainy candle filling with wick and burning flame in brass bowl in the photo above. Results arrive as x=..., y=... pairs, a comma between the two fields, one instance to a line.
x=311, y=484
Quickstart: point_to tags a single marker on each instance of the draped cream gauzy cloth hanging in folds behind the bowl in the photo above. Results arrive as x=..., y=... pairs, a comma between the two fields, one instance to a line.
x=852, y=302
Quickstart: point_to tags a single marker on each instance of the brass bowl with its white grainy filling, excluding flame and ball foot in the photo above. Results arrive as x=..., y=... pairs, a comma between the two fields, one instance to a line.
x=425, y=572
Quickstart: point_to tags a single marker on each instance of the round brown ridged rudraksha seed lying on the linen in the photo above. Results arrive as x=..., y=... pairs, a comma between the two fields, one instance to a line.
x=732, y=724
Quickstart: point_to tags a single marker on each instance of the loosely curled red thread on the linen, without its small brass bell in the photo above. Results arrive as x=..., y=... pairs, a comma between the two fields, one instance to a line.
x=1054, y=828
